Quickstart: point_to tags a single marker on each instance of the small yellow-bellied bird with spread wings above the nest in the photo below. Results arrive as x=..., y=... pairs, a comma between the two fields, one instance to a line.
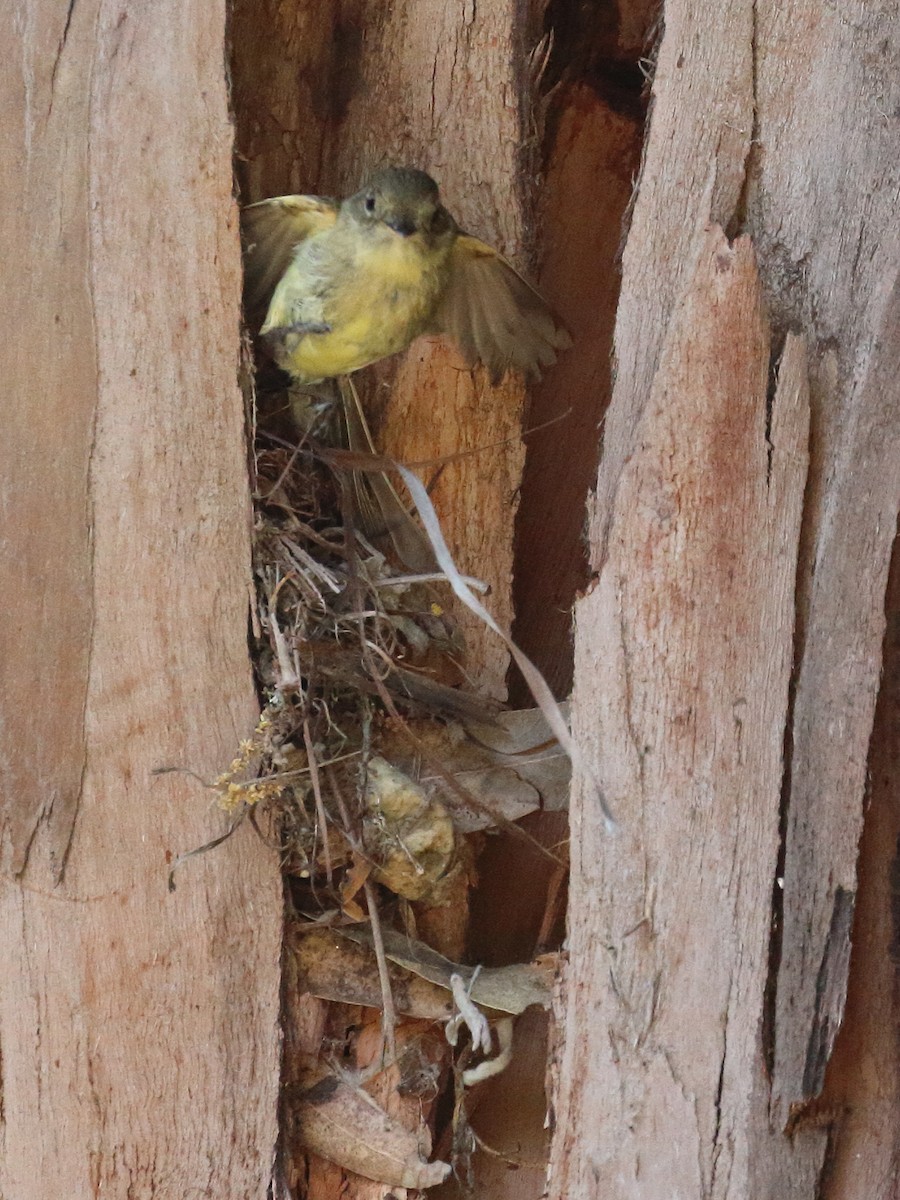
x=346, y=284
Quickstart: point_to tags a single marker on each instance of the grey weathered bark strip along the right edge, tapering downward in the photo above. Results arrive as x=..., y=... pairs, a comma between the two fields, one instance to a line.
x=824, y=207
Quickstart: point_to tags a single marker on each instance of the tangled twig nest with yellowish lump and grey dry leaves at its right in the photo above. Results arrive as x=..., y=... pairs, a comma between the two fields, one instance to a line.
x=363, y=673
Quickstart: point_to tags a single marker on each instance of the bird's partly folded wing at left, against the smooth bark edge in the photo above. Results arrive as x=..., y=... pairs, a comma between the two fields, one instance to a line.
x=272, y=231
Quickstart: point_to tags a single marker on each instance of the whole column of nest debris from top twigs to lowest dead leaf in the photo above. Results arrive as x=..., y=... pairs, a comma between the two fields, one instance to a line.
x=371, y=767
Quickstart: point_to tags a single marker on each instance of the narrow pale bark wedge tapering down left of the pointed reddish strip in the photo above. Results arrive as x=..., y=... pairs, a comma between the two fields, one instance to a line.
x=703, y=103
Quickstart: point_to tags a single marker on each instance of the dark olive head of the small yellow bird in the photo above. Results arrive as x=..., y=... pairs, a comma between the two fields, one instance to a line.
x=406, y=202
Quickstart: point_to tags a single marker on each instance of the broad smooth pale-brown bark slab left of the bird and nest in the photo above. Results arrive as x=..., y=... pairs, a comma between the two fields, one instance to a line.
x=139, y=1029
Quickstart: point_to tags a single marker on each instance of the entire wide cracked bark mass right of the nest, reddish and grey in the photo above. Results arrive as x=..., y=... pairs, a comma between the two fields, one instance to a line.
x=728, y=657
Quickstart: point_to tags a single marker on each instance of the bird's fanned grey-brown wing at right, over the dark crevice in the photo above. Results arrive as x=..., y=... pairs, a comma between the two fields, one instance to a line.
x=495, y=316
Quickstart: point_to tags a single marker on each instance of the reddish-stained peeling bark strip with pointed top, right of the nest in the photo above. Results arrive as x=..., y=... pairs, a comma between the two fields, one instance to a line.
x=682, y=683
